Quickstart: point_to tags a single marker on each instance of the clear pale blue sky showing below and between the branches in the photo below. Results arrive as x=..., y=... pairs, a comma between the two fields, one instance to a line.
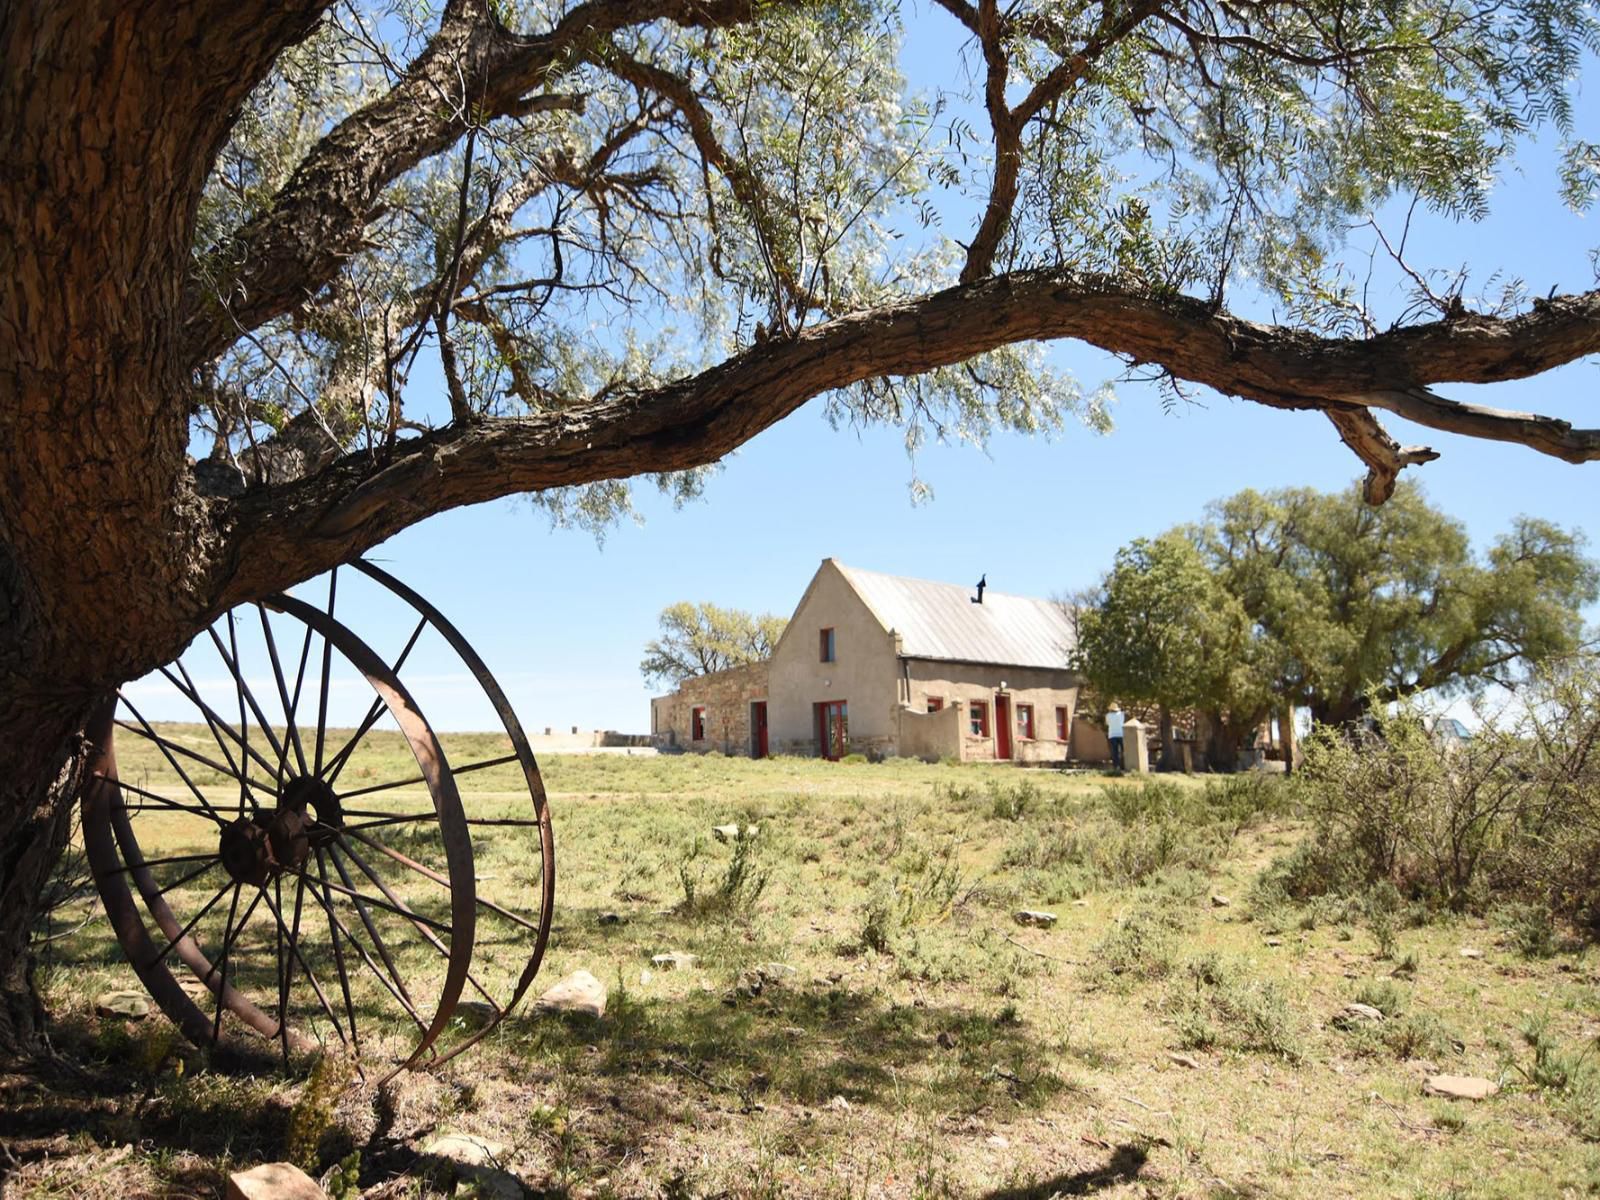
x=564, y=620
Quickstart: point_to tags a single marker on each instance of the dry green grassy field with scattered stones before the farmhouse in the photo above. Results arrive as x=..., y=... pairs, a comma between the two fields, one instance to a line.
x=1172, y=1036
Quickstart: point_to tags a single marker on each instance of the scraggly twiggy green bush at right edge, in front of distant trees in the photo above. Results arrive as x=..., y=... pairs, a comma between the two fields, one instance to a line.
x=1506, y=817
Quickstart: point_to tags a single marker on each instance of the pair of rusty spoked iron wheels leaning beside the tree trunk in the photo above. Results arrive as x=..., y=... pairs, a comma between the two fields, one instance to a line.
x=351, y=849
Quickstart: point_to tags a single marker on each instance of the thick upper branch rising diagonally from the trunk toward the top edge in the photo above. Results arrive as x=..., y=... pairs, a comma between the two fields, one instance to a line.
x=471, y=73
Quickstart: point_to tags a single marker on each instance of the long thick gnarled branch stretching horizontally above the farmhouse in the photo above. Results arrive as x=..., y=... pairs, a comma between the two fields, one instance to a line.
x=698, y=420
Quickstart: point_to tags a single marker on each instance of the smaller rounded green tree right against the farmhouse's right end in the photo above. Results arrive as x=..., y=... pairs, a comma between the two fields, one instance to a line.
x=1162, y=630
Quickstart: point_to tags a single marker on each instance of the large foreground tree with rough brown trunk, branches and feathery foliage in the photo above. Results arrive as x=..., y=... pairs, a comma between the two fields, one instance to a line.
x=370, y=262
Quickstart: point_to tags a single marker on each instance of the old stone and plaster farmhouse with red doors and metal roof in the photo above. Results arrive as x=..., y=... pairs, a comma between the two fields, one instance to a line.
x=884, y=666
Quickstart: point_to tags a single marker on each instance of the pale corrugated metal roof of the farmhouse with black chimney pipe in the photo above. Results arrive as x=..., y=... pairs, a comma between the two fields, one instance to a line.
x=942, y=622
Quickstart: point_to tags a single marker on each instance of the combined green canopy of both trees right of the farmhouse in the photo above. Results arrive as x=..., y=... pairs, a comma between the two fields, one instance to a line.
x=1322, y=601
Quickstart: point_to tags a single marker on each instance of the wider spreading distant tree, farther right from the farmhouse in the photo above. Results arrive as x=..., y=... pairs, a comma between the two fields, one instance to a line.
x=1358, y=604
